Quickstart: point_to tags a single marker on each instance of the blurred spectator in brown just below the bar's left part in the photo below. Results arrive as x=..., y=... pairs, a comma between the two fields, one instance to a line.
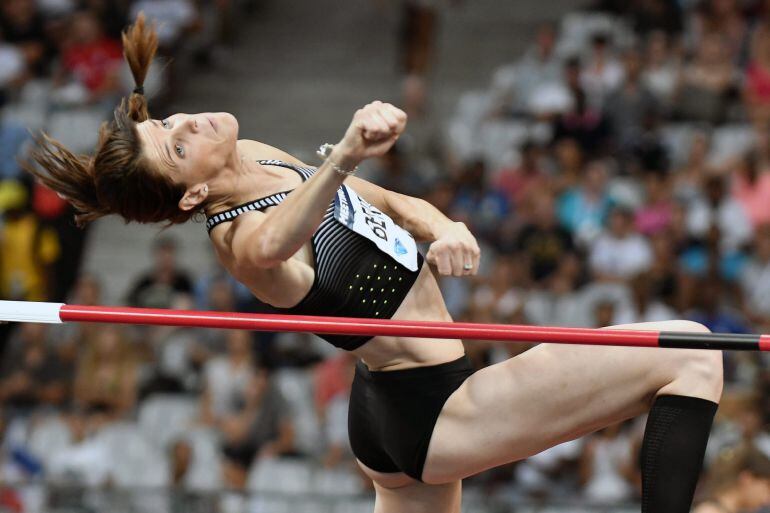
x=106, y=376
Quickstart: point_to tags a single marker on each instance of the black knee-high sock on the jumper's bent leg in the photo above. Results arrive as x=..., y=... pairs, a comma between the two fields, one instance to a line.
x=672, y=452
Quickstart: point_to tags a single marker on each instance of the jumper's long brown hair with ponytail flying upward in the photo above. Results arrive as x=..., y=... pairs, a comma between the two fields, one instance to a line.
x=118, y=178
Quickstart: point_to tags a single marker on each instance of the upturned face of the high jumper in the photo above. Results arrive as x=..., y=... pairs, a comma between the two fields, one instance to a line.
x=191, y=148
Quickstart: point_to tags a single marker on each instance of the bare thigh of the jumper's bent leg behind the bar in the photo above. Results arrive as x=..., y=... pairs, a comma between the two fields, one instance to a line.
x=545, y=396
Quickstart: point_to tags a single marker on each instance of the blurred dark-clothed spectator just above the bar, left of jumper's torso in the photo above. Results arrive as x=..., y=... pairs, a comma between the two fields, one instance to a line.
x=157, y=288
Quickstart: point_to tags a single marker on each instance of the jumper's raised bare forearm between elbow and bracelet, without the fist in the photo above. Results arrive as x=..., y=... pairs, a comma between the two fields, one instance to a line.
x=291, y=224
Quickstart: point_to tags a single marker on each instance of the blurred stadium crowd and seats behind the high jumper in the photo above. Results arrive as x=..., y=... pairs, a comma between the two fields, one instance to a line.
x=612, y=157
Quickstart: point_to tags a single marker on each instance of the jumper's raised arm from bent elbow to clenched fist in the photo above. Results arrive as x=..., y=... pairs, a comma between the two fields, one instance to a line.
x=283, y=231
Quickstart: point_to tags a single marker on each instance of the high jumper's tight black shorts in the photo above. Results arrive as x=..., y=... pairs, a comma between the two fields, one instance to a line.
x=392, y=413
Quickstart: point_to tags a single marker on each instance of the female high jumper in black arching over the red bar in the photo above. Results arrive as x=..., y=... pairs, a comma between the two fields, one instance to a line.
x=319, y=241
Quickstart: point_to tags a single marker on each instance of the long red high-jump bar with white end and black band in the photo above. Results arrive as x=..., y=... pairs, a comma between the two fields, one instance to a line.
x=20, y=311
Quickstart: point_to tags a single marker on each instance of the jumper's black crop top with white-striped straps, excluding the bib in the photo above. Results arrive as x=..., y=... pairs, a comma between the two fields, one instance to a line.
x=353, y=278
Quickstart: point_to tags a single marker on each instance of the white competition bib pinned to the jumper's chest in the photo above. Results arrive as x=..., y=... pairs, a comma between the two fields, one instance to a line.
x=364, y=219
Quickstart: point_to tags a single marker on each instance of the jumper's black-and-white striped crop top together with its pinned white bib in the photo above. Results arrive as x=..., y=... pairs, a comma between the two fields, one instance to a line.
x=365, y=264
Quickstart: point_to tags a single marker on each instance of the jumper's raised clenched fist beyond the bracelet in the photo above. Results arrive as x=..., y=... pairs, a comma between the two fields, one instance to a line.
x=373, y=131
